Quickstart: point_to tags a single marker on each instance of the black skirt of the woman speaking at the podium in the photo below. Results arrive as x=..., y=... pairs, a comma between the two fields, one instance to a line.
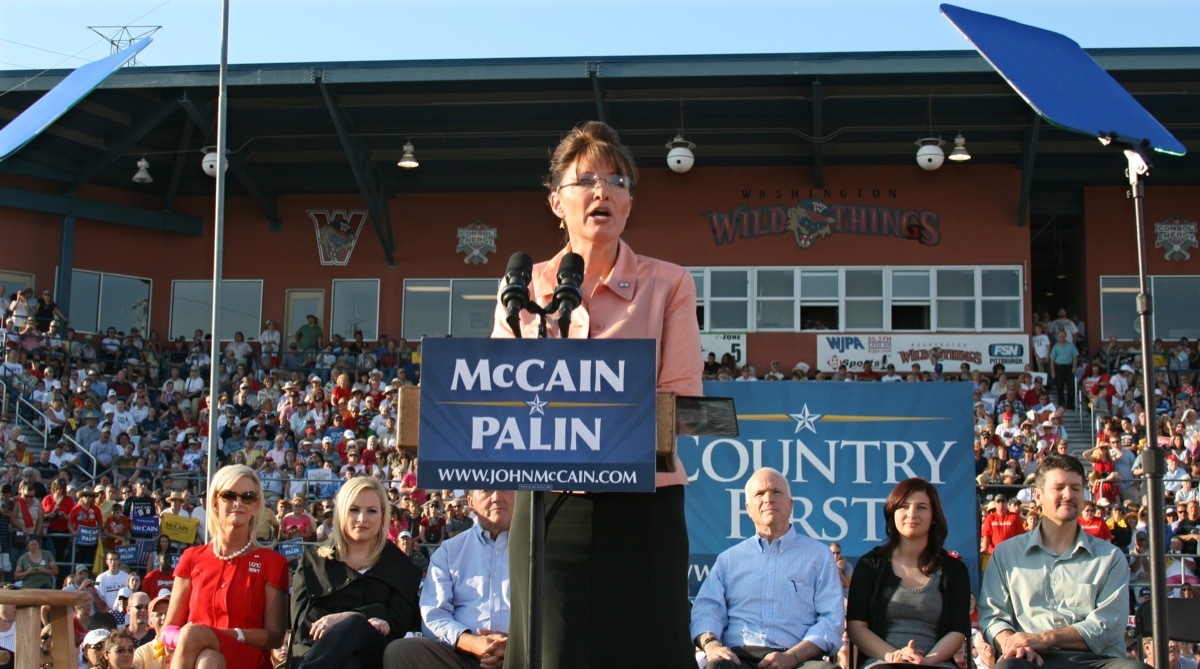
x=616, y=584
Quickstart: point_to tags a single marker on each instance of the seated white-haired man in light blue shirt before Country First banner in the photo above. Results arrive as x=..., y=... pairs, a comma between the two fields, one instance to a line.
x=773, y=601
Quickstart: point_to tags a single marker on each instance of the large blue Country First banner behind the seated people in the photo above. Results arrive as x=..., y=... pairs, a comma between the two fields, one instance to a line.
x=843, y=448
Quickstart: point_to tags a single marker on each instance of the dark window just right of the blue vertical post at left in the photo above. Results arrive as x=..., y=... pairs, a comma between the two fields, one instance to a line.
x=100, y=302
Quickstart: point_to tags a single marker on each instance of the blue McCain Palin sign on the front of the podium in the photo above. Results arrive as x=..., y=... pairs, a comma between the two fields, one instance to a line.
x=547, y=414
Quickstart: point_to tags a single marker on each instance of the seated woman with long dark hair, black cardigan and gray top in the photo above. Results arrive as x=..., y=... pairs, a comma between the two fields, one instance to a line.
x=909, y=599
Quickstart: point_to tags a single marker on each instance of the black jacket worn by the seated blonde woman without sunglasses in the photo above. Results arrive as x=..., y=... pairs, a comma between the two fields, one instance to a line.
x=388, y=590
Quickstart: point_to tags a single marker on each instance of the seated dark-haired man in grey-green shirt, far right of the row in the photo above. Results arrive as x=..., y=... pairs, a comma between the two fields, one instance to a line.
x=1057, y=596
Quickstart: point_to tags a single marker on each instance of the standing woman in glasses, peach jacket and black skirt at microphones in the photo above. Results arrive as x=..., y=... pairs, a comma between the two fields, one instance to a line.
x=603, y=594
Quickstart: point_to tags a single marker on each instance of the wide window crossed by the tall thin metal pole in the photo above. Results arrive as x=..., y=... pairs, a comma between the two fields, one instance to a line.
x=242, y=309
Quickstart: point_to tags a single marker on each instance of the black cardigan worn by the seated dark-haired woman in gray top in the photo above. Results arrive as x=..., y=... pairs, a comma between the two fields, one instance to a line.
x=874, y=583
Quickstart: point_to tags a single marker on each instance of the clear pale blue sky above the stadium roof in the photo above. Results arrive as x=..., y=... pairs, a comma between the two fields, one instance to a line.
x=41, y=34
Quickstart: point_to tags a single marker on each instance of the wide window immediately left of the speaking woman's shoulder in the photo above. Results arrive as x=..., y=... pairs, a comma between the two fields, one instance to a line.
x=449, y=308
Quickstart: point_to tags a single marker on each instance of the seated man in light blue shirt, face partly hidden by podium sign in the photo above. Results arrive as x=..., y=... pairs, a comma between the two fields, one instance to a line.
x=465, y=601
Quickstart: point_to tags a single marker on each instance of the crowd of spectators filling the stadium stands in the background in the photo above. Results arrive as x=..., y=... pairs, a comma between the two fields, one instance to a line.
x=121, y=421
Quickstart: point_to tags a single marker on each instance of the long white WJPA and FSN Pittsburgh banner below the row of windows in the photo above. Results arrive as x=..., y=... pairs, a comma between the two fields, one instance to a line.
x=980, y=352
